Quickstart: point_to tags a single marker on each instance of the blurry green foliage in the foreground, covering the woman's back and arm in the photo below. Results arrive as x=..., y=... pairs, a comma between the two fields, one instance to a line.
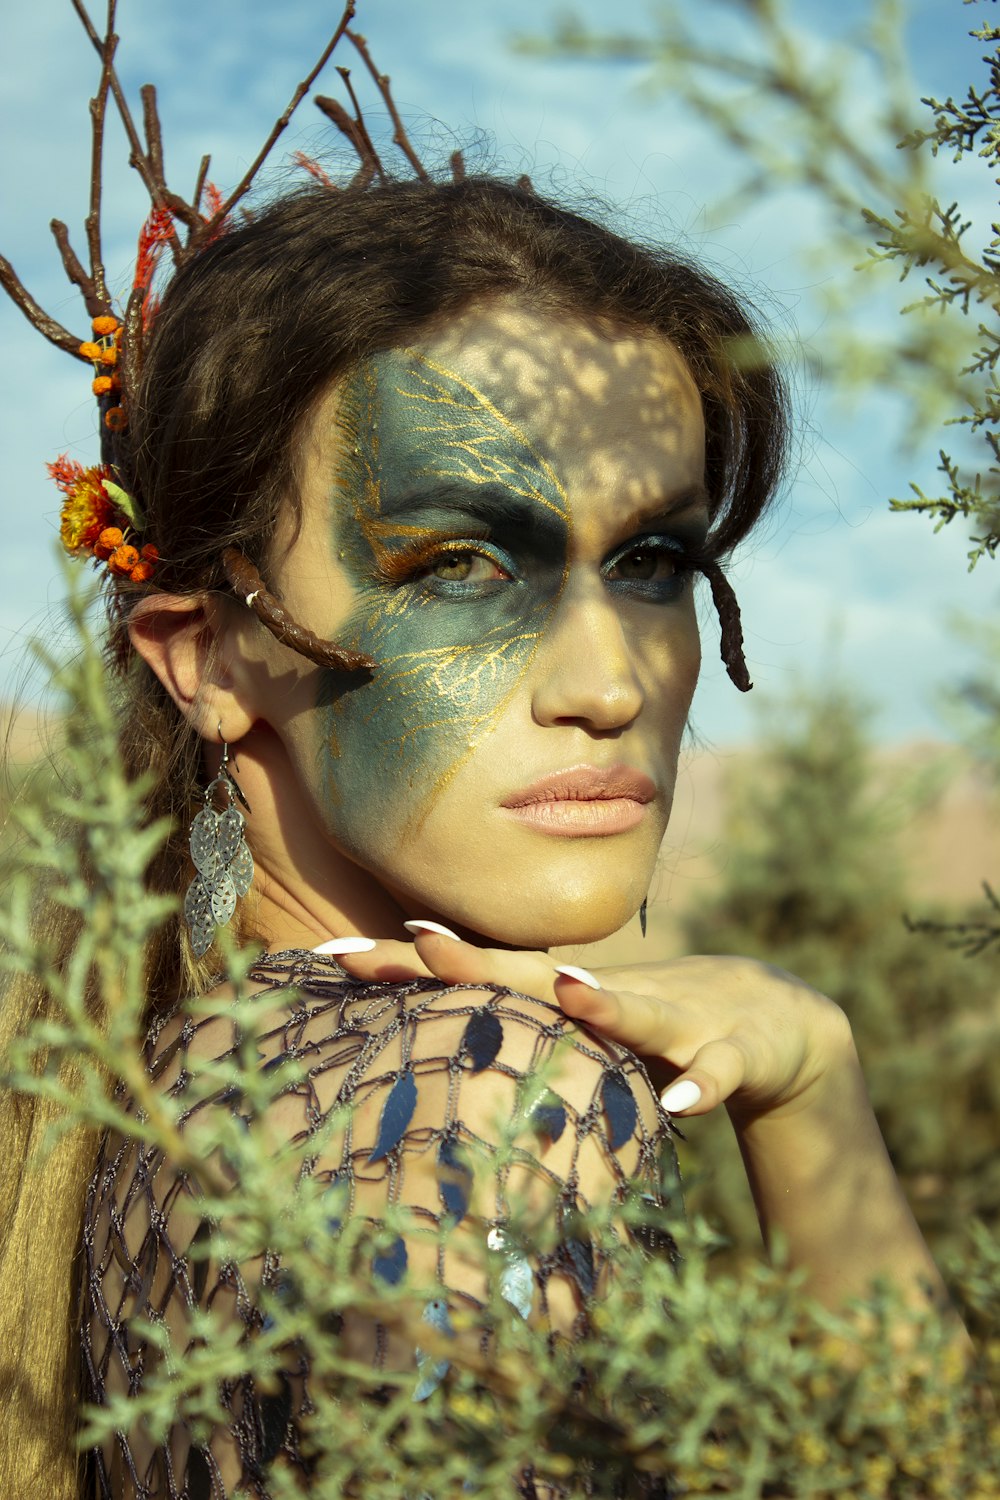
x=734, y=1385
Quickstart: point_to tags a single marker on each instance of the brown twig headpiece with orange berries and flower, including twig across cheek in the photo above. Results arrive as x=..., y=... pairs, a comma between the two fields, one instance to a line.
x=100, y=518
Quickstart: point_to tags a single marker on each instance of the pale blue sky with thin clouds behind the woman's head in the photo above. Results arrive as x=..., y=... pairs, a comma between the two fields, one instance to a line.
x=833, y=586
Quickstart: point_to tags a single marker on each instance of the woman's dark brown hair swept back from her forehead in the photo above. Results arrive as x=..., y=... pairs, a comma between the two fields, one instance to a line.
x=256, y=329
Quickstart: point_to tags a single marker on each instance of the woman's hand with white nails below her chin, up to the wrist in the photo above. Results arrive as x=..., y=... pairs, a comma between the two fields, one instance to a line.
x=734, y=1030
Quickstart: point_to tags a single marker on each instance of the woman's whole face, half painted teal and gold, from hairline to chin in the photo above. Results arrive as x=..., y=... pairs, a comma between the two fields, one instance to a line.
x=500, y=517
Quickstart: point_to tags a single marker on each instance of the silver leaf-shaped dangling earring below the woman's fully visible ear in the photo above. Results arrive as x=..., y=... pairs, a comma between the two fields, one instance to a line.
x=221, y=857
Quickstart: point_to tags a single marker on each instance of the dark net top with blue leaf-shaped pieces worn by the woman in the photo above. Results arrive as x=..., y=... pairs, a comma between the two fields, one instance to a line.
x=425, y=1072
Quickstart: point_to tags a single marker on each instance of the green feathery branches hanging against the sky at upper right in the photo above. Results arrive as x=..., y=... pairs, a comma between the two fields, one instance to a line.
x=839, y=118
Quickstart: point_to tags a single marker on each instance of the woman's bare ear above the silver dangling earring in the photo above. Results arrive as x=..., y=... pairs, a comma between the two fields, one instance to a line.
x=184, y=641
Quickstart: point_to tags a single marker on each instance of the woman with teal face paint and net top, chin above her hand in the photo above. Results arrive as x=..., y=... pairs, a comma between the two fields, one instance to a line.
x=478, y=448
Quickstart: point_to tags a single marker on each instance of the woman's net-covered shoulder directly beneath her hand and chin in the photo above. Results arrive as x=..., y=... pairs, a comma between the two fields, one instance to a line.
x=416, y=1064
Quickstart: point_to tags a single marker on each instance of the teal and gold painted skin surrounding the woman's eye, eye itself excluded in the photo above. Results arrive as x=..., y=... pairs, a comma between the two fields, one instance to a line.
x=448, y=665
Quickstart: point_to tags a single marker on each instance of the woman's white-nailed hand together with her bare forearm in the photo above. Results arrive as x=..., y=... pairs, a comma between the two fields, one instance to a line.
x=780, y=1057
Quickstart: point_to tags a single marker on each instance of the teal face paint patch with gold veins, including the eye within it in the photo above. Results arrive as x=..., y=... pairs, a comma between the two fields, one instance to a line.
x=454, y=532
